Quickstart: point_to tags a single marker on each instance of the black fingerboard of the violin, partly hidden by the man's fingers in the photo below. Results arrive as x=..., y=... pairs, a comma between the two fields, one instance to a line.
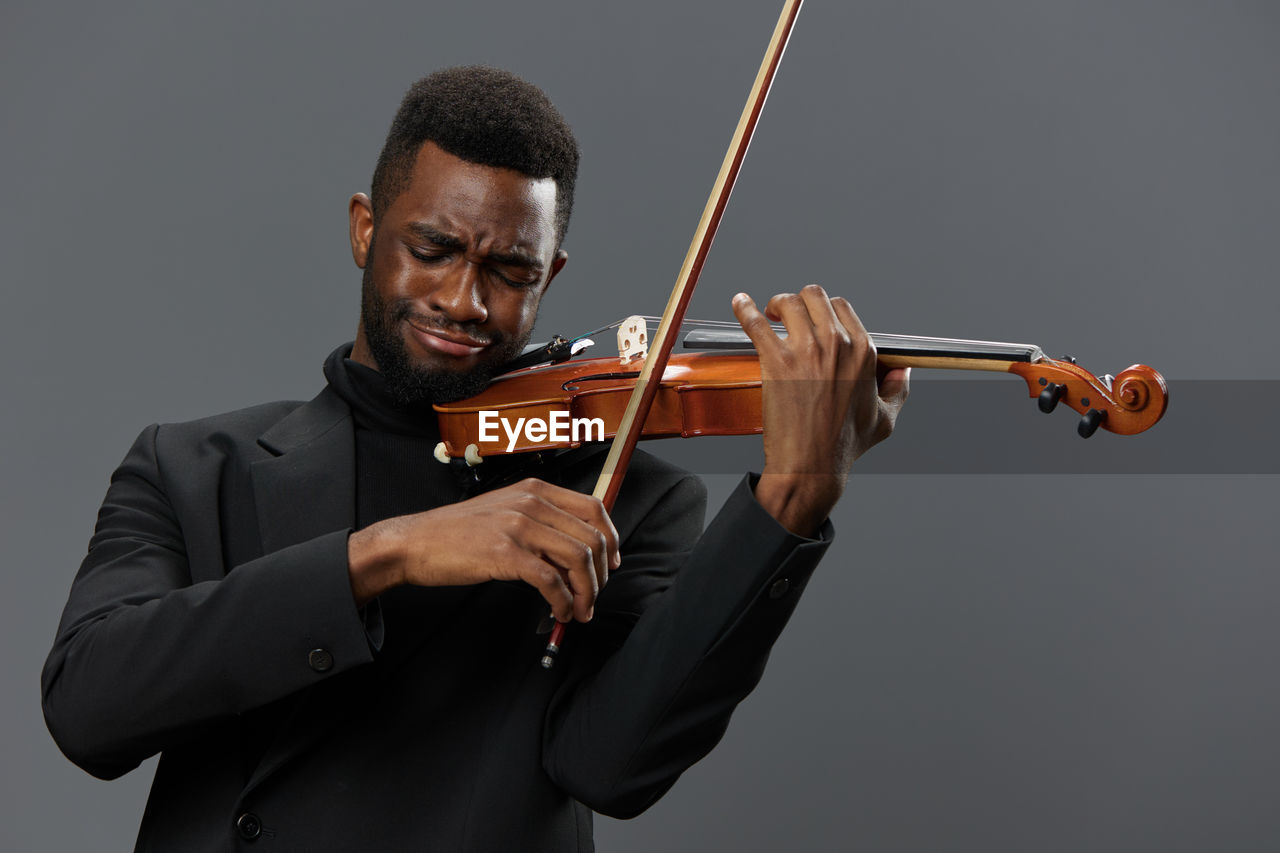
x=900, y=350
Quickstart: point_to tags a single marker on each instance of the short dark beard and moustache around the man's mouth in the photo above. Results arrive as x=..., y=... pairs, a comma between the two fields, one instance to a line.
x=413, y=385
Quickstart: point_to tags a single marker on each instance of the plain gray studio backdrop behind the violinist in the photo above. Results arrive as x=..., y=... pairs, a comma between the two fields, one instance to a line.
x=998, y=654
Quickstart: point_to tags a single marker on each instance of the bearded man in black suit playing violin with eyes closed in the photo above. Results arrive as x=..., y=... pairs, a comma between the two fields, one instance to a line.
x=333, y=645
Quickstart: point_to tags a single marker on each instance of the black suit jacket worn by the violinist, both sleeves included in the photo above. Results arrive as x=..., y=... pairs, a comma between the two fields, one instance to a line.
x=213, y=622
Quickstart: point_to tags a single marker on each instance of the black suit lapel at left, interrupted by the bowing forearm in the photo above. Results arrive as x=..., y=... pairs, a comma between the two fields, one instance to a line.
x=307, y=490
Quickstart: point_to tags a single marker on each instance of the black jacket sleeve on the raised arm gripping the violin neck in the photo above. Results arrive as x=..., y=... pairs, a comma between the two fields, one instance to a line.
x=643, y=708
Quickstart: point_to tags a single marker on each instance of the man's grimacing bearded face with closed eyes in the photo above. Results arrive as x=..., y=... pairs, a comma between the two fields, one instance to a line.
x=454, y=275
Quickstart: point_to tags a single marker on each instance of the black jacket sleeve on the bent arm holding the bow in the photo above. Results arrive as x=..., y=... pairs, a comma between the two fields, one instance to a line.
x=144, y=656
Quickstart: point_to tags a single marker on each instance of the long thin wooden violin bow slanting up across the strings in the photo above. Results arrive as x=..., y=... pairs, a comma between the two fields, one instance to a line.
x=660, y=352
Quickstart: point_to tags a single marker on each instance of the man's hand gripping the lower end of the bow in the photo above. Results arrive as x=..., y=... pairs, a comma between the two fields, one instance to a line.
x=559, y=541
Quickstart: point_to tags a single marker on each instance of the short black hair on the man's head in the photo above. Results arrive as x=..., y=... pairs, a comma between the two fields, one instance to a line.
x=482, y=116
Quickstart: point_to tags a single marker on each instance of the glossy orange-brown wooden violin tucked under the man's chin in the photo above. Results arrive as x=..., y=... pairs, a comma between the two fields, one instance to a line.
x=715, y=390
